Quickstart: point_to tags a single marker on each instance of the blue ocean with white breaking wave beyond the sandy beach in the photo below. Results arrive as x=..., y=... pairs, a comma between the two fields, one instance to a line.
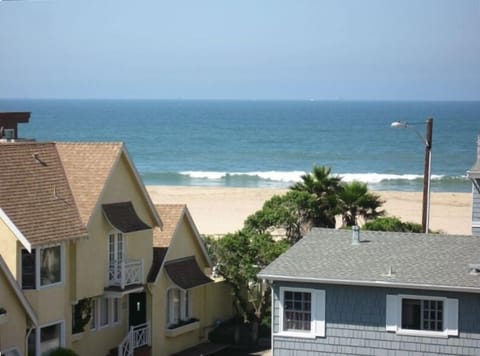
x=269, y=143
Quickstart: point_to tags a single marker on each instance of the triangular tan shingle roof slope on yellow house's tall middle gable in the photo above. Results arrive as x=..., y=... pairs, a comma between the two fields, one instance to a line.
x=88, y=165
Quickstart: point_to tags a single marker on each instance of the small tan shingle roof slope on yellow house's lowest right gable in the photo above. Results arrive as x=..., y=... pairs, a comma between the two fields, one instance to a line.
x=170, y=215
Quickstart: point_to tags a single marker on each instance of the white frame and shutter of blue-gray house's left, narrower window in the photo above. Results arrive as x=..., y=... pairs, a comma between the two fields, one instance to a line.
x=317, y=327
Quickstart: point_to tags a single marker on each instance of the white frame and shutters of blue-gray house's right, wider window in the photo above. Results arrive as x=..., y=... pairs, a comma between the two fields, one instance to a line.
x=394, y=316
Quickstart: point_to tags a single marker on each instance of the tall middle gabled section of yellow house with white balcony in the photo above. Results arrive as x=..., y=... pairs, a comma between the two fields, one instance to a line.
x=111, y=266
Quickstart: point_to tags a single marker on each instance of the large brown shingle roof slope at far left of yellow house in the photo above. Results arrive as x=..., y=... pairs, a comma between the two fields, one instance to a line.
x=35, y=194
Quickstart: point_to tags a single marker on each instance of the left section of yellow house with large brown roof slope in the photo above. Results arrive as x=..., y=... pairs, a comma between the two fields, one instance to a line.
x=39, y=229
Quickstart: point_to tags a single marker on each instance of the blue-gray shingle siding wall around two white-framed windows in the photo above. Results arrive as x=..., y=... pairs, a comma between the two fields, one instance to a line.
x=356, y=319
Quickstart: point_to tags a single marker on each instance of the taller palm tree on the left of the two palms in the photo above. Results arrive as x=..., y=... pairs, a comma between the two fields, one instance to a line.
x=325, y=188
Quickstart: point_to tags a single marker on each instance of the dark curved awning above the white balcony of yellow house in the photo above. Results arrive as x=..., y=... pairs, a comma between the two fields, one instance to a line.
x=124, y=217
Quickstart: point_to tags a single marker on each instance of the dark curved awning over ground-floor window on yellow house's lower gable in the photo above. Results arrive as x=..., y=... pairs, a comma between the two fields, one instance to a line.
x=186, y=273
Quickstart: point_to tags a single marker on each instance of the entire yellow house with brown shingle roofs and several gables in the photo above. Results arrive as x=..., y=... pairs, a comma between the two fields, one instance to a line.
x=85, y=263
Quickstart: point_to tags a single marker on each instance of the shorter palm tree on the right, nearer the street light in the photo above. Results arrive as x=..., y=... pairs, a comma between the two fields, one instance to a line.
x=356, y=201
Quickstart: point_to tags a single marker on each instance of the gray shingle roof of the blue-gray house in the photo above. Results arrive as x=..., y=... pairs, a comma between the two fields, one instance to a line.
x=416, y=260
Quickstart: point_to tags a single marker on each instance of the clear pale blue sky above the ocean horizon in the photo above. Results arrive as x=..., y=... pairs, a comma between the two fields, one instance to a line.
x=243, y=49
